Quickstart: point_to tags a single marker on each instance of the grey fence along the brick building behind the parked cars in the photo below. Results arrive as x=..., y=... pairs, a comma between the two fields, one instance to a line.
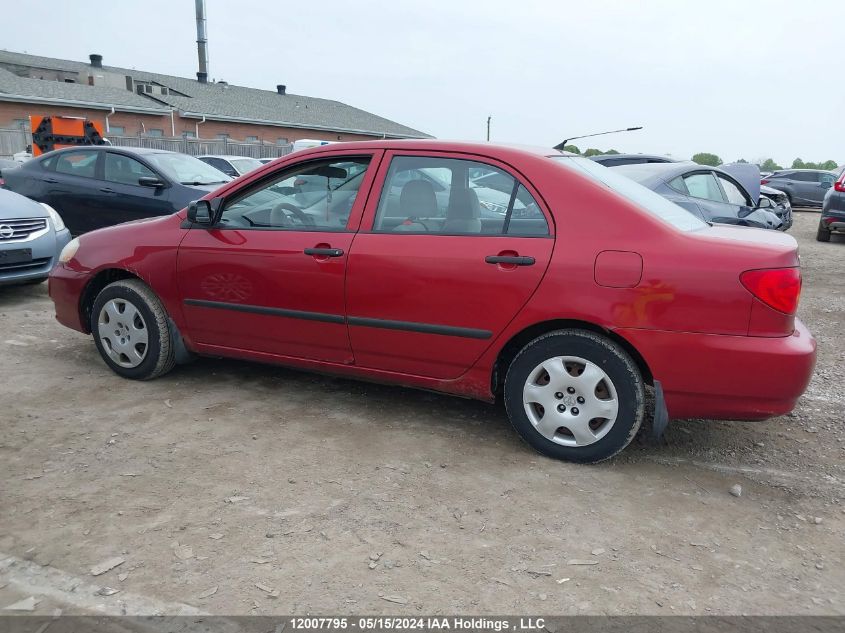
x=17, y=140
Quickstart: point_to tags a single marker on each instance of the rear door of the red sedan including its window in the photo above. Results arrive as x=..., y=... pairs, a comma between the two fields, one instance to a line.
x=432, y=281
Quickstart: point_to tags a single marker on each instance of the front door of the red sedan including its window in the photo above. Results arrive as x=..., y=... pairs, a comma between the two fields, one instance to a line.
x=268, y=277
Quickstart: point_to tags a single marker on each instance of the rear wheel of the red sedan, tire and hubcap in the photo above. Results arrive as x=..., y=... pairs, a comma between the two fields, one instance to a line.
x=575, y=395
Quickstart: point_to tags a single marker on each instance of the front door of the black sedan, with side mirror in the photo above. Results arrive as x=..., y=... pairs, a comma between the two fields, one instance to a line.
x=124, y=198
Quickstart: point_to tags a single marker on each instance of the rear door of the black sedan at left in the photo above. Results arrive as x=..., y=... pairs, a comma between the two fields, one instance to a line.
x=73, y=189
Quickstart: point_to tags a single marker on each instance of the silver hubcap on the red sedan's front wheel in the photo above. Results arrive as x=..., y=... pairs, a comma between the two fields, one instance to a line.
x=123, y=333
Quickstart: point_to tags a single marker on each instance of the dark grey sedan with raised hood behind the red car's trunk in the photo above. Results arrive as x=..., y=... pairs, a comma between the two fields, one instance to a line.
x=709, y=193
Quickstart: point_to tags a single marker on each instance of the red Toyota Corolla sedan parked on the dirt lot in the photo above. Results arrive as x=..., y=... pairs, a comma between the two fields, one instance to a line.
x=472, y=269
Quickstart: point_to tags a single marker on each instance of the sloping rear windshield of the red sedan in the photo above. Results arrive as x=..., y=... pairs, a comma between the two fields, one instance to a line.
x=655, y=204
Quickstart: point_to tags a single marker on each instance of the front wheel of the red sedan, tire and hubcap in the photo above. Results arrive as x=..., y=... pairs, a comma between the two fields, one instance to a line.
x=131, y=331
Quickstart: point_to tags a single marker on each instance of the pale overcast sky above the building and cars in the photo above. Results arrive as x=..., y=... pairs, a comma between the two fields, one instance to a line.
x=742, y=79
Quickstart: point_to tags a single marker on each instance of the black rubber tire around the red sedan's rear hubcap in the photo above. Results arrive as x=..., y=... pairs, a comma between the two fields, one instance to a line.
x=610, y=358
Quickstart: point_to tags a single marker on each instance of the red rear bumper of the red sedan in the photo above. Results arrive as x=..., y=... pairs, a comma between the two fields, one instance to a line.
x=728, y=377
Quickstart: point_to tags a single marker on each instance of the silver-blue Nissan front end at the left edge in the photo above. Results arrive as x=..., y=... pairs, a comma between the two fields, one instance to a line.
x=31, y=237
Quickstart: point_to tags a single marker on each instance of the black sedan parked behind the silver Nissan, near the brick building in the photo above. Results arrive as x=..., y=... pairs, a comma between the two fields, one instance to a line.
x=97, y=186
